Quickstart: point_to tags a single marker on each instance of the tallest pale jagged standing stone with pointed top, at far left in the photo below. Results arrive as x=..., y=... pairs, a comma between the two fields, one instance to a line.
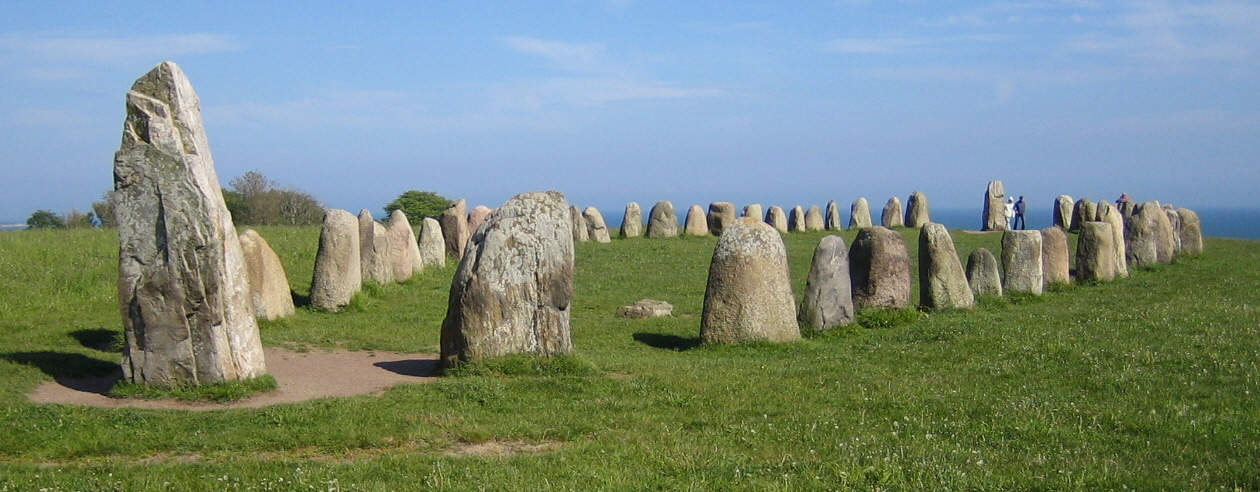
x=185, y=297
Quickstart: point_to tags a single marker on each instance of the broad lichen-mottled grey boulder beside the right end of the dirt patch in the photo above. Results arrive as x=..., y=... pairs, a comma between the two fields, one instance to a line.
x=513, y=287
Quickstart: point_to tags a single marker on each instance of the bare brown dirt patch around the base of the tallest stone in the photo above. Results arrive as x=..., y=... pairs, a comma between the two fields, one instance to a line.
x=302, y=377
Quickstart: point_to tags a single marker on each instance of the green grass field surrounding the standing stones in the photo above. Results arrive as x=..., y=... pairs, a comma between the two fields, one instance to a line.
x=1148, y=383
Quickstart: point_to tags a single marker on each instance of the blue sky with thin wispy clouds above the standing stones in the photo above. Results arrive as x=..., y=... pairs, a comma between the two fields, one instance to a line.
x=612, y=102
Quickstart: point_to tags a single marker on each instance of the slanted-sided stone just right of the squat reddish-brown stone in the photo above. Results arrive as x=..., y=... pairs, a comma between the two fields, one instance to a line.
x=942, y=279
